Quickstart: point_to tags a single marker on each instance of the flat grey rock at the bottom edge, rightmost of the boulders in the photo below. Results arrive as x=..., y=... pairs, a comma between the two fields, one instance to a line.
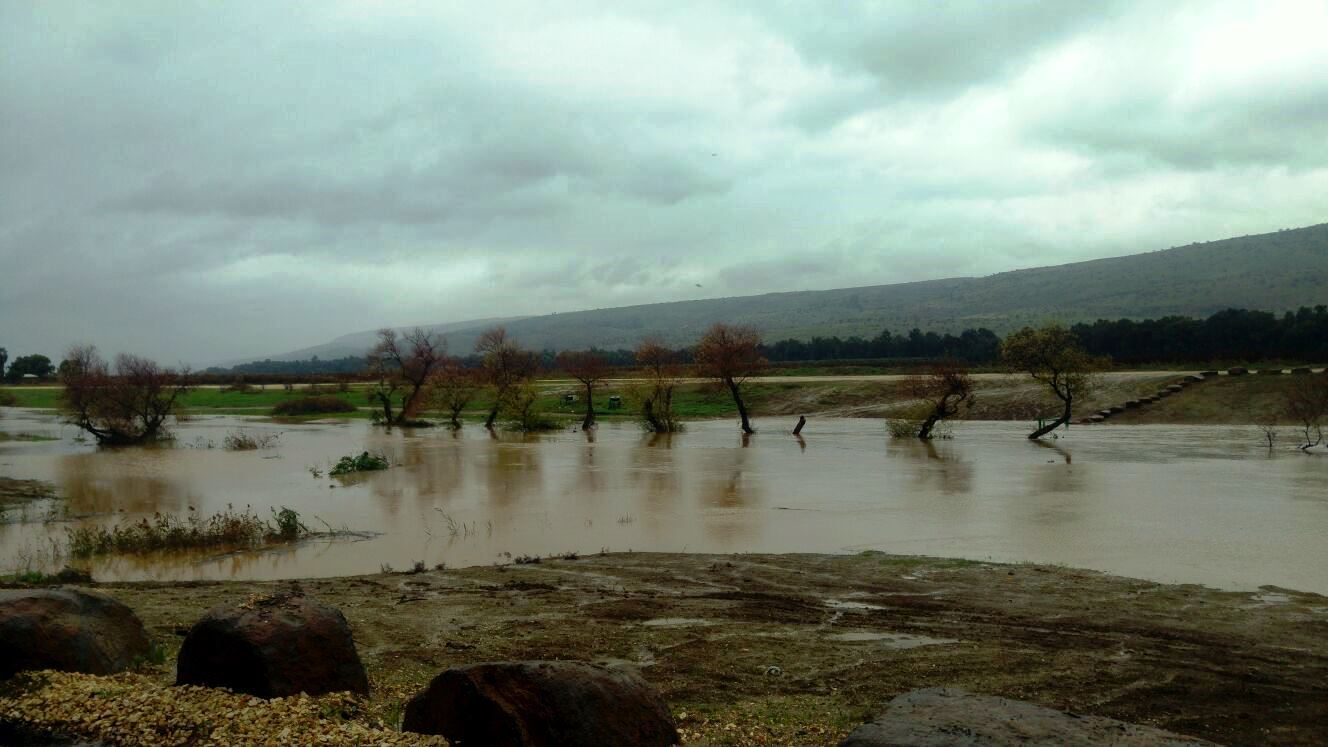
x=948, y=717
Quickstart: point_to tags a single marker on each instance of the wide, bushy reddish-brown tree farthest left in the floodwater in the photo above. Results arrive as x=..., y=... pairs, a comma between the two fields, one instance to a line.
x=128, y=406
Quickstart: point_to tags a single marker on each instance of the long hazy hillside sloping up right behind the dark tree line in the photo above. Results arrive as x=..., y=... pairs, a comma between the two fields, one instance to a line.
x=1274, y=272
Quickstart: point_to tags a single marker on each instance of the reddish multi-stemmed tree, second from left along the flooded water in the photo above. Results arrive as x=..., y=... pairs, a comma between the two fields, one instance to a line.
x=404, y=365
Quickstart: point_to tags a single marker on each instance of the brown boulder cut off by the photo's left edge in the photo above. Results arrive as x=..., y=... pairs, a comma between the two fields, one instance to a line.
x=68, y=631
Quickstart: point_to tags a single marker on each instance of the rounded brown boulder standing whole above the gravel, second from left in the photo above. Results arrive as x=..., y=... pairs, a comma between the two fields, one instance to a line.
x=273, y=648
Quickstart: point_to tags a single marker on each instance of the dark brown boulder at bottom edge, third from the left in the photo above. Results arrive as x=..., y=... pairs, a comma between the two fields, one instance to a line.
x=539, y=704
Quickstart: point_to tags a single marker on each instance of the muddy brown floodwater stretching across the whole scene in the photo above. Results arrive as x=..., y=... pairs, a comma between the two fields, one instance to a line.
x=1169, y=503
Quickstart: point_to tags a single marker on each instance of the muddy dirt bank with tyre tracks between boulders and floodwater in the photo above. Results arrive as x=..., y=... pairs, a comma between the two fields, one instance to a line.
x=800, y=649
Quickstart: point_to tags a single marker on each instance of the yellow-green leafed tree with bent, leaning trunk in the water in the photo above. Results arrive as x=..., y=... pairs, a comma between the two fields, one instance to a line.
x=1054, y=357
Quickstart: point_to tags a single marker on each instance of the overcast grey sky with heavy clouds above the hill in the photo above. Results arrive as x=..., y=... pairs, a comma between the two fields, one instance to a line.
x=208, y=183
